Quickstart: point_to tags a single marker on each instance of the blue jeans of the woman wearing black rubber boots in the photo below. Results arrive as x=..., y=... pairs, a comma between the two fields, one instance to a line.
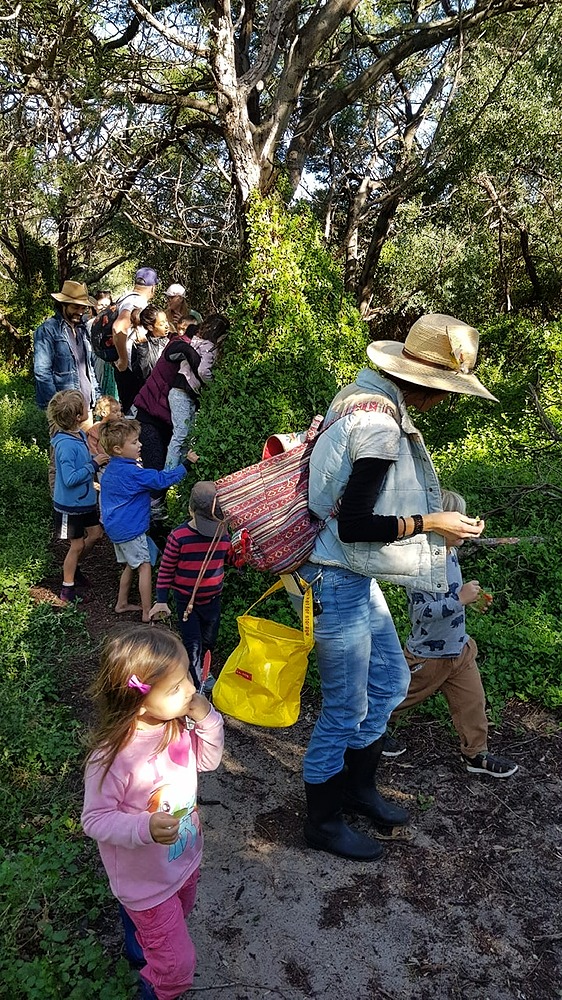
x=363, y=672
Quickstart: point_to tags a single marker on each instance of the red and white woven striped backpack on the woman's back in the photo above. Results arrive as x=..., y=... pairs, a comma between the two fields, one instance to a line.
x=266, y=504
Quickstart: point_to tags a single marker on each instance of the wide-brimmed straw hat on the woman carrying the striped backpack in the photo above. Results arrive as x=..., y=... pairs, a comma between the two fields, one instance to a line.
x=439, y=352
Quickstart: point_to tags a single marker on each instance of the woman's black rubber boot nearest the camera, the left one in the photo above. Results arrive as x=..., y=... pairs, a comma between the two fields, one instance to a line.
x=325, y=829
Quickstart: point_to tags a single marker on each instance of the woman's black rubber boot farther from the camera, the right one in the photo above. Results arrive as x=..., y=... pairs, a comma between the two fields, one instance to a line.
x=361, y=794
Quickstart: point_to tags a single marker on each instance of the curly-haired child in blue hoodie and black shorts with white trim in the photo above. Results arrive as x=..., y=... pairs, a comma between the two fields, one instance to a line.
x=75, y=500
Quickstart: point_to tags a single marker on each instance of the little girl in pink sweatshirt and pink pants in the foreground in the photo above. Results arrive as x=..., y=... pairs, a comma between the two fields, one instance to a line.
x=154, y=734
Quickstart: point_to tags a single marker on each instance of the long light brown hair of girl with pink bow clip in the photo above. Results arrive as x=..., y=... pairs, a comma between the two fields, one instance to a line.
x=148, y=653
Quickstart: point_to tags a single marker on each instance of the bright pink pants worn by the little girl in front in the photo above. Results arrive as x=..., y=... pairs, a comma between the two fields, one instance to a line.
x=163, y=936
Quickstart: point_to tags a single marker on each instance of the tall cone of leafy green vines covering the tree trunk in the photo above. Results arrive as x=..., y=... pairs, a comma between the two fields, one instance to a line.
x=295, y=339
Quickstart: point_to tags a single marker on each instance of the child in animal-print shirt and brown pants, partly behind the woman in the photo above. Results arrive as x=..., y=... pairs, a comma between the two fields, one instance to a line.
x=442, y=657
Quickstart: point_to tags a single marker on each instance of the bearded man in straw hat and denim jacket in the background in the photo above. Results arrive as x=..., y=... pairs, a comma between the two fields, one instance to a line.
x=62, y=354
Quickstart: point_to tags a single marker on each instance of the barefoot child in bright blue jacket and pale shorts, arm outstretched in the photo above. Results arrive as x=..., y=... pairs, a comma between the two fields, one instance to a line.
x=125, y=507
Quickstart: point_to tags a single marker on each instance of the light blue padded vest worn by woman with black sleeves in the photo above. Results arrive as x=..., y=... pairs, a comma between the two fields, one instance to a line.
x=410, y=486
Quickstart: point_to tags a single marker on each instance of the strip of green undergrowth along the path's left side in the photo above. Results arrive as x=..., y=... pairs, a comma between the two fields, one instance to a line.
x=54, y=901
